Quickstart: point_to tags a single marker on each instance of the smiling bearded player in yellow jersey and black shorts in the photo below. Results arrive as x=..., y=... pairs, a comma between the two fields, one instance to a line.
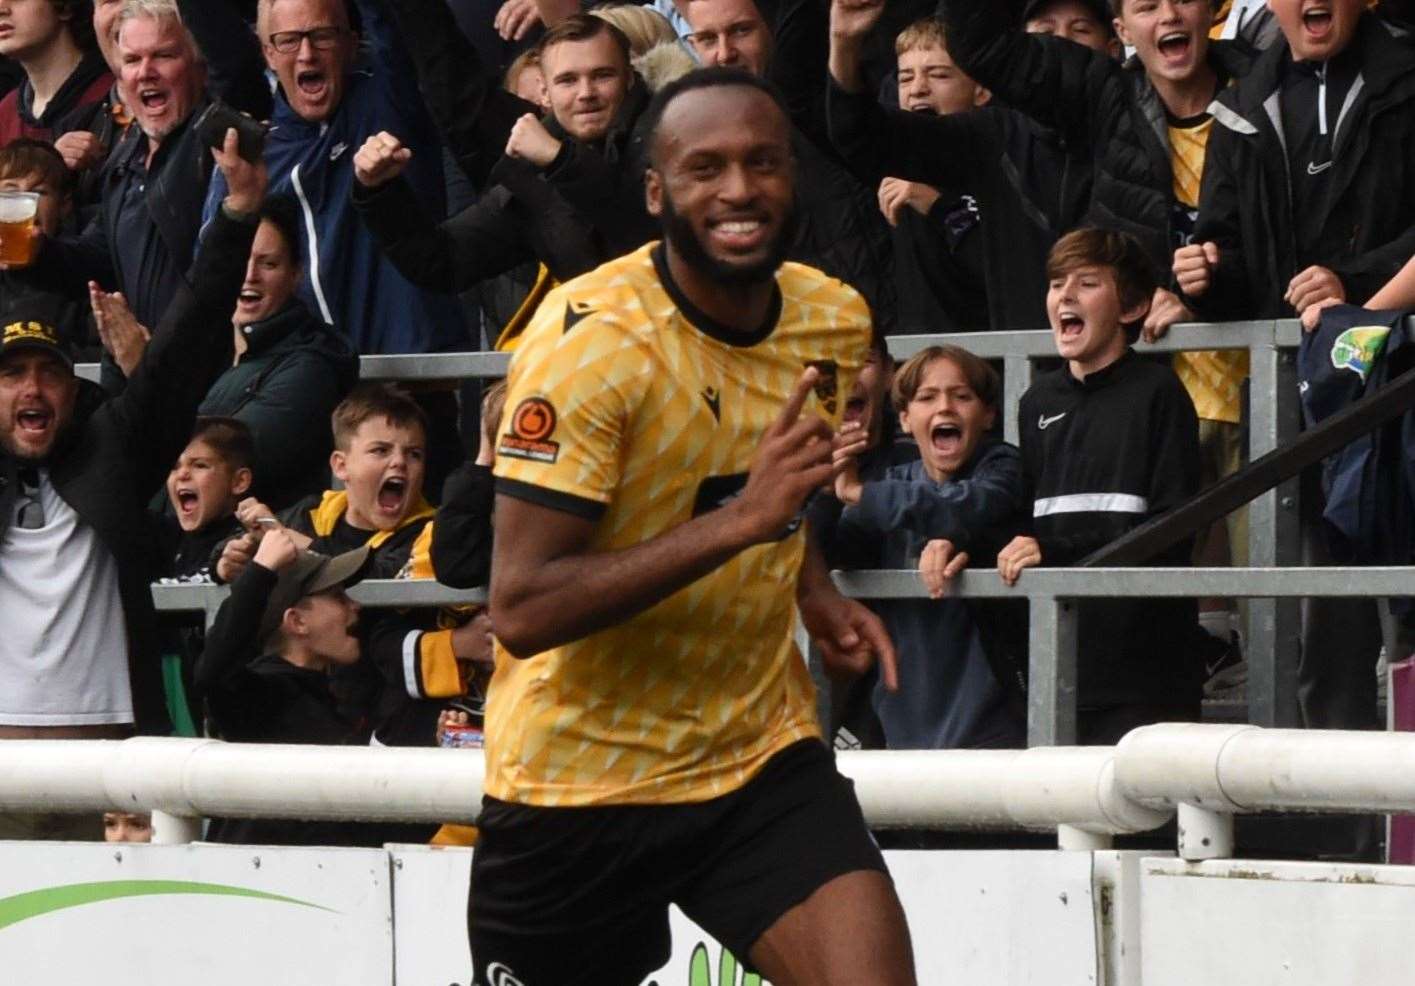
x=652, y=731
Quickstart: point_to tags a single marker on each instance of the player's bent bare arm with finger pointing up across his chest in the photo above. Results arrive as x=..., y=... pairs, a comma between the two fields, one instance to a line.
x=550, y=589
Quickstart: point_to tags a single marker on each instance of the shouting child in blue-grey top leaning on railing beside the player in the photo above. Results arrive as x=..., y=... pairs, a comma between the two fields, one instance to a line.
x=963, y=499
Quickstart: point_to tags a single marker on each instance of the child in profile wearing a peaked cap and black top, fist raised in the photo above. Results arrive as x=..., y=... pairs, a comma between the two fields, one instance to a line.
x=265, y=674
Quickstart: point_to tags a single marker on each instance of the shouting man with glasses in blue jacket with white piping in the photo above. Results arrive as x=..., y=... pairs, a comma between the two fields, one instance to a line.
x=330, y=101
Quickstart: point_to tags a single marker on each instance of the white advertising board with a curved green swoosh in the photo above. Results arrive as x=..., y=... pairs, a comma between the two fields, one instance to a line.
x=144, y=916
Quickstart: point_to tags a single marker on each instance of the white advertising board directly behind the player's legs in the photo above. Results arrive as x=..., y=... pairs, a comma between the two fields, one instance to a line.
x=1014, y=919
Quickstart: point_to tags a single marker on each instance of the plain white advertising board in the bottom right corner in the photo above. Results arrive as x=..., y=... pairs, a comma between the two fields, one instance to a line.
x=1298, y=924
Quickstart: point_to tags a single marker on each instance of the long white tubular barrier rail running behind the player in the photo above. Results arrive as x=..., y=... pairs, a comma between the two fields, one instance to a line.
x=1095, y=791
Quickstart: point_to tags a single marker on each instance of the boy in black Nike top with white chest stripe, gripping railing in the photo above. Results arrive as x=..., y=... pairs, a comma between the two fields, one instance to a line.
x=1109, y=442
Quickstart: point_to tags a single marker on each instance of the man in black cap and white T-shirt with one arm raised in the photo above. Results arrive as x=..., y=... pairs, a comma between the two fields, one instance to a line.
x=79, y=653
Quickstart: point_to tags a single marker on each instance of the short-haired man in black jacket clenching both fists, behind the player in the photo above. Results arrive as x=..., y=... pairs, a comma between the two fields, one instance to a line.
x=561, y=196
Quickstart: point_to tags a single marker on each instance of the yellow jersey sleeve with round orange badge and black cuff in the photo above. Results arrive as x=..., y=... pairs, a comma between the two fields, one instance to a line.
x=575, y=384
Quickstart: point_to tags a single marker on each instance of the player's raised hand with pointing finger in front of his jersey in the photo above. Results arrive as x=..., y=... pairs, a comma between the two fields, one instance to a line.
x=792, y=462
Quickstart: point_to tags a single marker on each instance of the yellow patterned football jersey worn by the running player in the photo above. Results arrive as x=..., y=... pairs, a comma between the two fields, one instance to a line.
x=630, y=408
